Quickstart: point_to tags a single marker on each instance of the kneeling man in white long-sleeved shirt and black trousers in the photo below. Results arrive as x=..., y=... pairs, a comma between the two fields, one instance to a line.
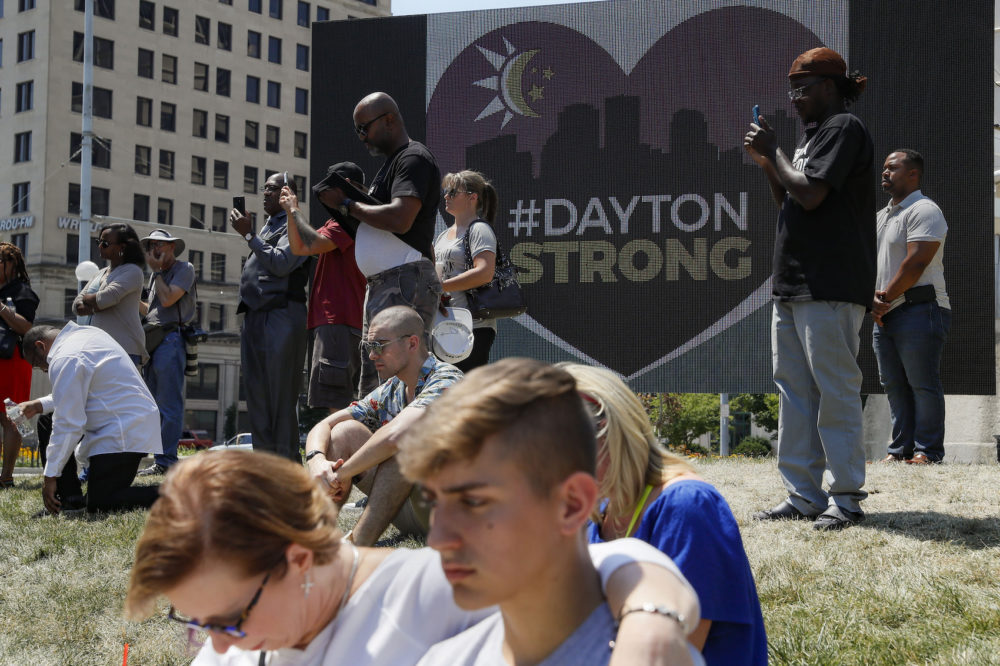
x=104, y=415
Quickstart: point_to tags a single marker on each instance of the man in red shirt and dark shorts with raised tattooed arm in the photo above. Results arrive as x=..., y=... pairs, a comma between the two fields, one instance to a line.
x=336, y=301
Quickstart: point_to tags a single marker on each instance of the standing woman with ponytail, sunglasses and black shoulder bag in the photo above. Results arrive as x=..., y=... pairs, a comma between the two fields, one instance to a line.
x=466, y=252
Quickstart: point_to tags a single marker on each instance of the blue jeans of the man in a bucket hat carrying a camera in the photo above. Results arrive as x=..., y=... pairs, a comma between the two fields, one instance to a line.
x=164, y=375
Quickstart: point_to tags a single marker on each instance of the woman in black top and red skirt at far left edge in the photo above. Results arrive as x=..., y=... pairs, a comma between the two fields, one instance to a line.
x=15, y=372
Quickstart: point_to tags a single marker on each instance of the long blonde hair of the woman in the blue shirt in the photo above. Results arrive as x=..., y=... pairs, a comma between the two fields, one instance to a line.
x=636, y=457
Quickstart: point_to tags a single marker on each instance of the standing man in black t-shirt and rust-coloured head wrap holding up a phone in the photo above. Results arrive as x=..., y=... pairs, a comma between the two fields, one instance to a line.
x=824, y=278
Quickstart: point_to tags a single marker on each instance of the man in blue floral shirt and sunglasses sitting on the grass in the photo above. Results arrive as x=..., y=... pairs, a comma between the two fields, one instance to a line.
x=358, y=444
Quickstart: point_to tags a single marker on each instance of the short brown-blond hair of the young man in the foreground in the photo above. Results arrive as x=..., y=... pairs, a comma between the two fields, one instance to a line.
x=531, y=405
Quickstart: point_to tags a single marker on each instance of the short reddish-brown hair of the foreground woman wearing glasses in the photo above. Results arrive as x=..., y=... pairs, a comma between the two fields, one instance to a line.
x=244, y=508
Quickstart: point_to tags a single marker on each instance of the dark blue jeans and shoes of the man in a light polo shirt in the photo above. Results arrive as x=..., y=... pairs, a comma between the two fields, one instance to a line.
x=908, y=349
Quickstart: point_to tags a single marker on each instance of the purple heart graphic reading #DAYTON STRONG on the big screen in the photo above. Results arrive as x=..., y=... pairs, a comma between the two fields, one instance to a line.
x=626, y=199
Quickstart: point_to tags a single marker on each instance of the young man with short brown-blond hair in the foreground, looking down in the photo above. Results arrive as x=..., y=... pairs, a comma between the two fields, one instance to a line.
x=507, y=461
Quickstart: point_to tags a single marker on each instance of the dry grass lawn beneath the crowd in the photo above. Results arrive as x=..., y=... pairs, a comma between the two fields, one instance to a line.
x=916, y=583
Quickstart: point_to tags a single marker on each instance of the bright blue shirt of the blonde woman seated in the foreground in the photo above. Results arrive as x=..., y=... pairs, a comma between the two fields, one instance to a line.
x=692, y=524
